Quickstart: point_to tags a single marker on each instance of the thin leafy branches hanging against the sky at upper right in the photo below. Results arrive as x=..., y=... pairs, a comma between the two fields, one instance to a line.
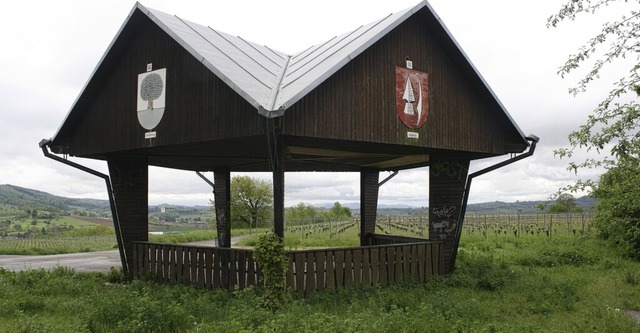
x=613, y=124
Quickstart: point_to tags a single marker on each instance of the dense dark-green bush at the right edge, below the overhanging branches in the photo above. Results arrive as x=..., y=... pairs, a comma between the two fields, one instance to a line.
x=618, y=211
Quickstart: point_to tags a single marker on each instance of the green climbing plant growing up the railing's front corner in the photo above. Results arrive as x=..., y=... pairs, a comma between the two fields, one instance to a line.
x=270, y=257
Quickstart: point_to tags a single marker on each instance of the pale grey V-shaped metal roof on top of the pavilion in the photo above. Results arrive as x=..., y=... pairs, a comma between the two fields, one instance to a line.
x=272, y=81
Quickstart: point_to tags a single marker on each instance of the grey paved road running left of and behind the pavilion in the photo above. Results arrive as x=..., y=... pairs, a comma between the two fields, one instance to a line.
x=81, y=262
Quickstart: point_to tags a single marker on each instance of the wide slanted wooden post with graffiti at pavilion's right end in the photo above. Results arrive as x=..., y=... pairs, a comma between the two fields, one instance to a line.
x=447, y=179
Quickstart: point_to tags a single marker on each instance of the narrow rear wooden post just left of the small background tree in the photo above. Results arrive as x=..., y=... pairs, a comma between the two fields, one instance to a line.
x=222, y=198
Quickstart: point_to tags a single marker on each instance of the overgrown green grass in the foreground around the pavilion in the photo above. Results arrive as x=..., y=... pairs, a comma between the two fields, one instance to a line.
x=562, y=284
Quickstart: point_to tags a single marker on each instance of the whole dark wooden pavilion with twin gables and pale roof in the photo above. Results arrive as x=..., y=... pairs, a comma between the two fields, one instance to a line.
x=395, y=94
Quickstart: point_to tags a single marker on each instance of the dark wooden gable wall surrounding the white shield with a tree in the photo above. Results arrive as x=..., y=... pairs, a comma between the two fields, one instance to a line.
x=199, y=106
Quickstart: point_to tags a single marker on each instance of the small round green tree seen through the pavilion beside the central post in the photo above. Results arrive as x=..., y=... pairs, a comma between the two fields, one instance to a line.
x=251, y=202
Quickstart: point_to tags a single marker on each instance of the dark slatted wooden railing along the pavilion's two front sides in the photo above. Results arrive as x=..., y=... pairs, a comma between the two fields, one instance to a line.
x=309, y=270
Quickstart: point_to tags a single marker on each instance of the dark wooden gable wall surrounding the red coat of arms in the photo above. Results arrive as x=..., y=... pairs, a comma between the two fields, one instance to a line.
x=358, y=102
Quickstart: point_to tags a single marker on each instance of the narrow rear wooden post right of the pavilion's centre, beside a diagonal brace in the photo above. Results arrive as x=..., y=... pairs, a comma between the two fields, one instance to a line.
x=368, y=203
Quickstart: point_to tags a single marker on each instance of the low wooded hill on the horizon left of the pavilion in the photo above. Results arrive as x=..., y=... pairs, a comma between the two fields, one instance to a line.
x=20, y=197
